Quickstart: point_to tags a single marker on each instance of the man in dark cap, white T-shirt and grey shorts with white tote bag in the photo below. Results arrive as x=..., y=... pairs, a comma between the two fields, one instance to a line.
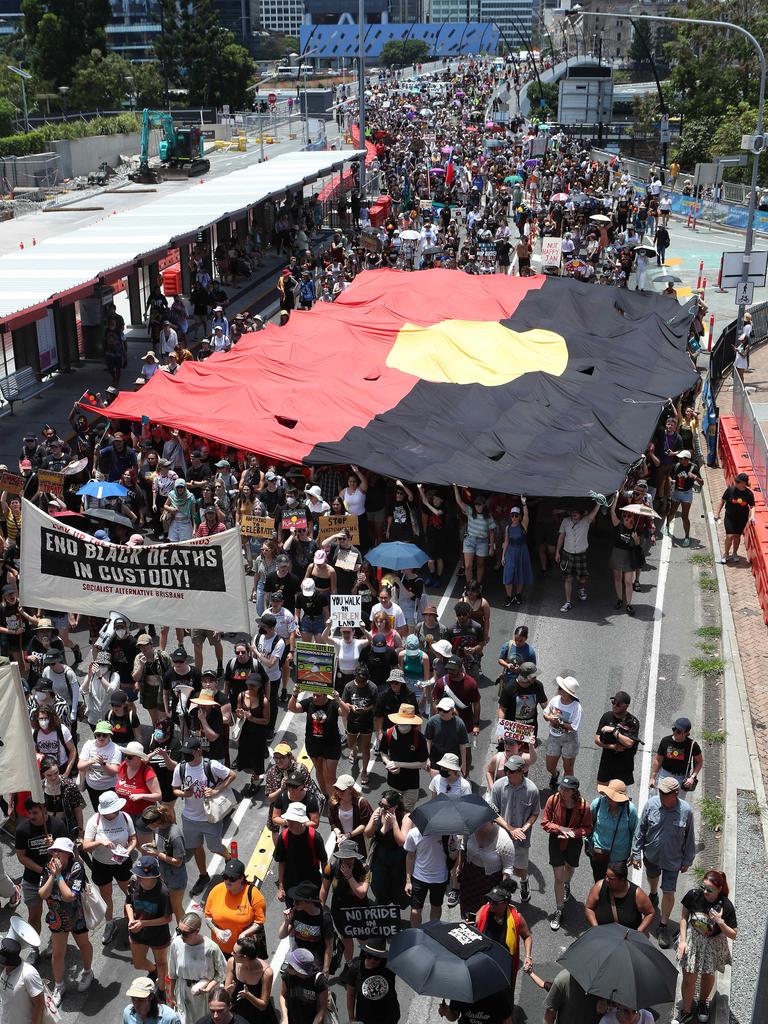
x=194, y=782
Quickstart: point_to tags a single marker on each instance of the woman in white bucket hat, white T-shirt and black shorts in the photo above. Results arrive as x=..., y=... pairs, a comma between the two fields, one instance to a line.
x=110, y=839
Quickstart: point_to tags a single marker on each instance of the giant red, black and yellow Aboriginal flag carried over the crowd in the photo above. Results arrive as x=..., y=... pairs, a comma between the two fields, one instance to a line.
x=534, y=386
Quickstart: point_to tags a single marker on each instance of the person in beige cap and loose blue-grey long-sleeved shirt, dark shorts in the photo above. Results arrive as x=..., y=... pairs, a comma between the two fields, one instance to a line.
x=666, y=837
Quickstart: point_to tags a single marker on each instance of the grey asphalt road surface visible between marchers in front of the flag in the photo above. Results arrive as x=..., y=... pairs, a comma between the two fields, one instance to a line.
x=606, y=651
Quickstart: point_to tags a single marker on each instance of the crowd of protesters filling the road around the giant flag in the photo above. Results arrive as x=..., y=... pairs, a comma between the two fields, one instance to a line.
x=140, y=741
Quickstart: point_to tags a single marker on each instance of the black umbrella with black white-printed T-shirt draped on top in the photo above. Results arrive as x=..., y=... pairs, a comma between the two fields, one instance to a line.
x=455, y=962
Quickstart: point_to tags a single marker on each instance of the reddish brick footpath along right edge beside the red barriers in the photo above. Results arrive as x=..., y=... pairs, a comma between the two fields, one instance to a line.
x=752, y=632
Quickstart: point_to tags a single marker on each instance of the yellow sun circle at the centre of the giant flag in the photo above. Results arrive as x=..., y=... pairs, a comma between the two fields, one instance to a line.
x=456, y=352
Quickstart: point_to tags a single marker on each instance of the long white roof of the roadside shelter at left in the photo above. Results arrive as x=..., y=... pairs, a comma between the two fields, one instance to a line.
x=69, y=266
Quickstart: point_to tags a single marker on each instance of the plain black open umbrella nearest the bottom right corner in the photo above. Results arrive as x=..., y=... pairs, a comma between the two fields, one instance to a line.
x=621, y=965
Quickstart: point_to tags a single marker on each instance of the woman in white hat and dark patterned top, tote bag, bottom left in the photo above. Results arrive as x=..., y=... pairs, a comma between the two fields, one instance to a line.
x=62, y=886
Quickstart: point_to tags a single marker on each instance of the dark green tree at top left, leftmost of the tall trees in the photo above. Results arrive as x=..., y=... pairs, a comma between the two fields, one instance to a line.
x=61, y=32
